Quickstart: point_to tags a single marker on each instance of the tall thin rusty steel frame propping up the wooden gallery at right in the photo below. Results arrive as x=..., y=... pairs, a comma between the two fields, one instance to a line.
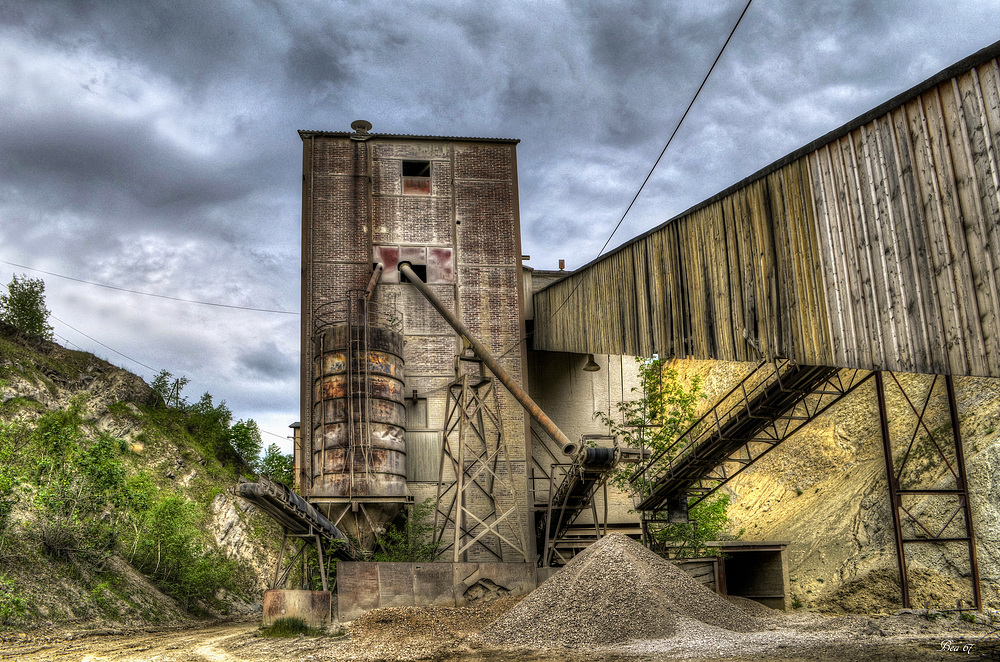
x=896, y=491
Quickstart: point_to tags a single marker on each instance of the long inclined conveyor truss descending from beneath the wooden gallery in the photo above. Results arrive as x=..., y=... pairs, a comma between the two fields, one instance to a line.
x=769, y=405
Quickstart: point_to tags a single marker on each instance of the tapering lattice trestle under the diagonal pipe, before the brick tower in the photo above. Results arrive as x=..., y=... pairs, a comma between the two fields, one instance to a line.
x=476, y=498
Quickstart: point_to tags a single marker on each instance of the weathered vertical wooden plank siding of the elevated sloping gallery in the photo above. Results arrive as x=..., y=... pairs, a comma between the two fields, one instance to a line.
x=874, y=247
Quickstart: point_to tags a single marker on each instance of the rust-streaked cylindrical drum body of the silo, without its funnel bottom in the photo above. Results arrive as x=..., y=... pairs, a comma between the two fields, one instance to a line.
x=359, y=417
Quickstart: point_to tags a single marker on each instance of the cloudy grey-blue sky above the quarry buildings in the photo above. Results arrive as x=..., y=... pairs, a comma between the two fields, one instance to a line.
x=151, y=145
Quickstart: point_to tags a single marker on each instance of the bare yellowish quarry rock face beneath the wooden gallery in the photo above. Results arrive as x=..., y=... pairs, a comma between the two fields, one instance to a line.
x=825, y=490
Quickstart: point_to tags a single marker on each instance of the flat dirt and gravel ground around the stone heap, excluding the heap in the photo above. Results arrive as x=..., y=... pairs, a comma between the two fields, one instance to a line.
x=446, y=634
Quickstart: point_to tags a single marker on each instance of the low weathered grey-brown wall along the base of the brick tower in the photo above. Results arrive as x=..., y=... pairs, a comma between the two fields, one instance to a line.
x=362, y=587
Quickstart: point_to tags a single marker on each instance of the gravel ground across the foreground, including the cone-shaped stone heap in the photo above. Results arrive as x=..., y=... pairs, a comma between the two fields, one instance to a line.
x=614, y=602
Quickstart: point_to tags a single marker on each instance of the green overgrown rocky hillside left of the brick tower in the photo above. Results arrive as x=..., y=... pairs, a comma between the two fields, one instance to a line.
x=113, y=506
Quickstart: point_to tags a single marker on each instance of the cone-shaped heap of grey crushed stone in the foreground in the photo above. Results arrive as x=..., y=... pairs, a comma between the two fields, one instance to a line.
x=614, y=591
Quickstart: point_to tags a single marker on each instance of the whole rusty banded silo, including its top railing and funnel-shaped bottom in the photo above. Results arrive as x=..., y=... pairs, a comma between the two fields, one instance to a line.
x=358, y=454
